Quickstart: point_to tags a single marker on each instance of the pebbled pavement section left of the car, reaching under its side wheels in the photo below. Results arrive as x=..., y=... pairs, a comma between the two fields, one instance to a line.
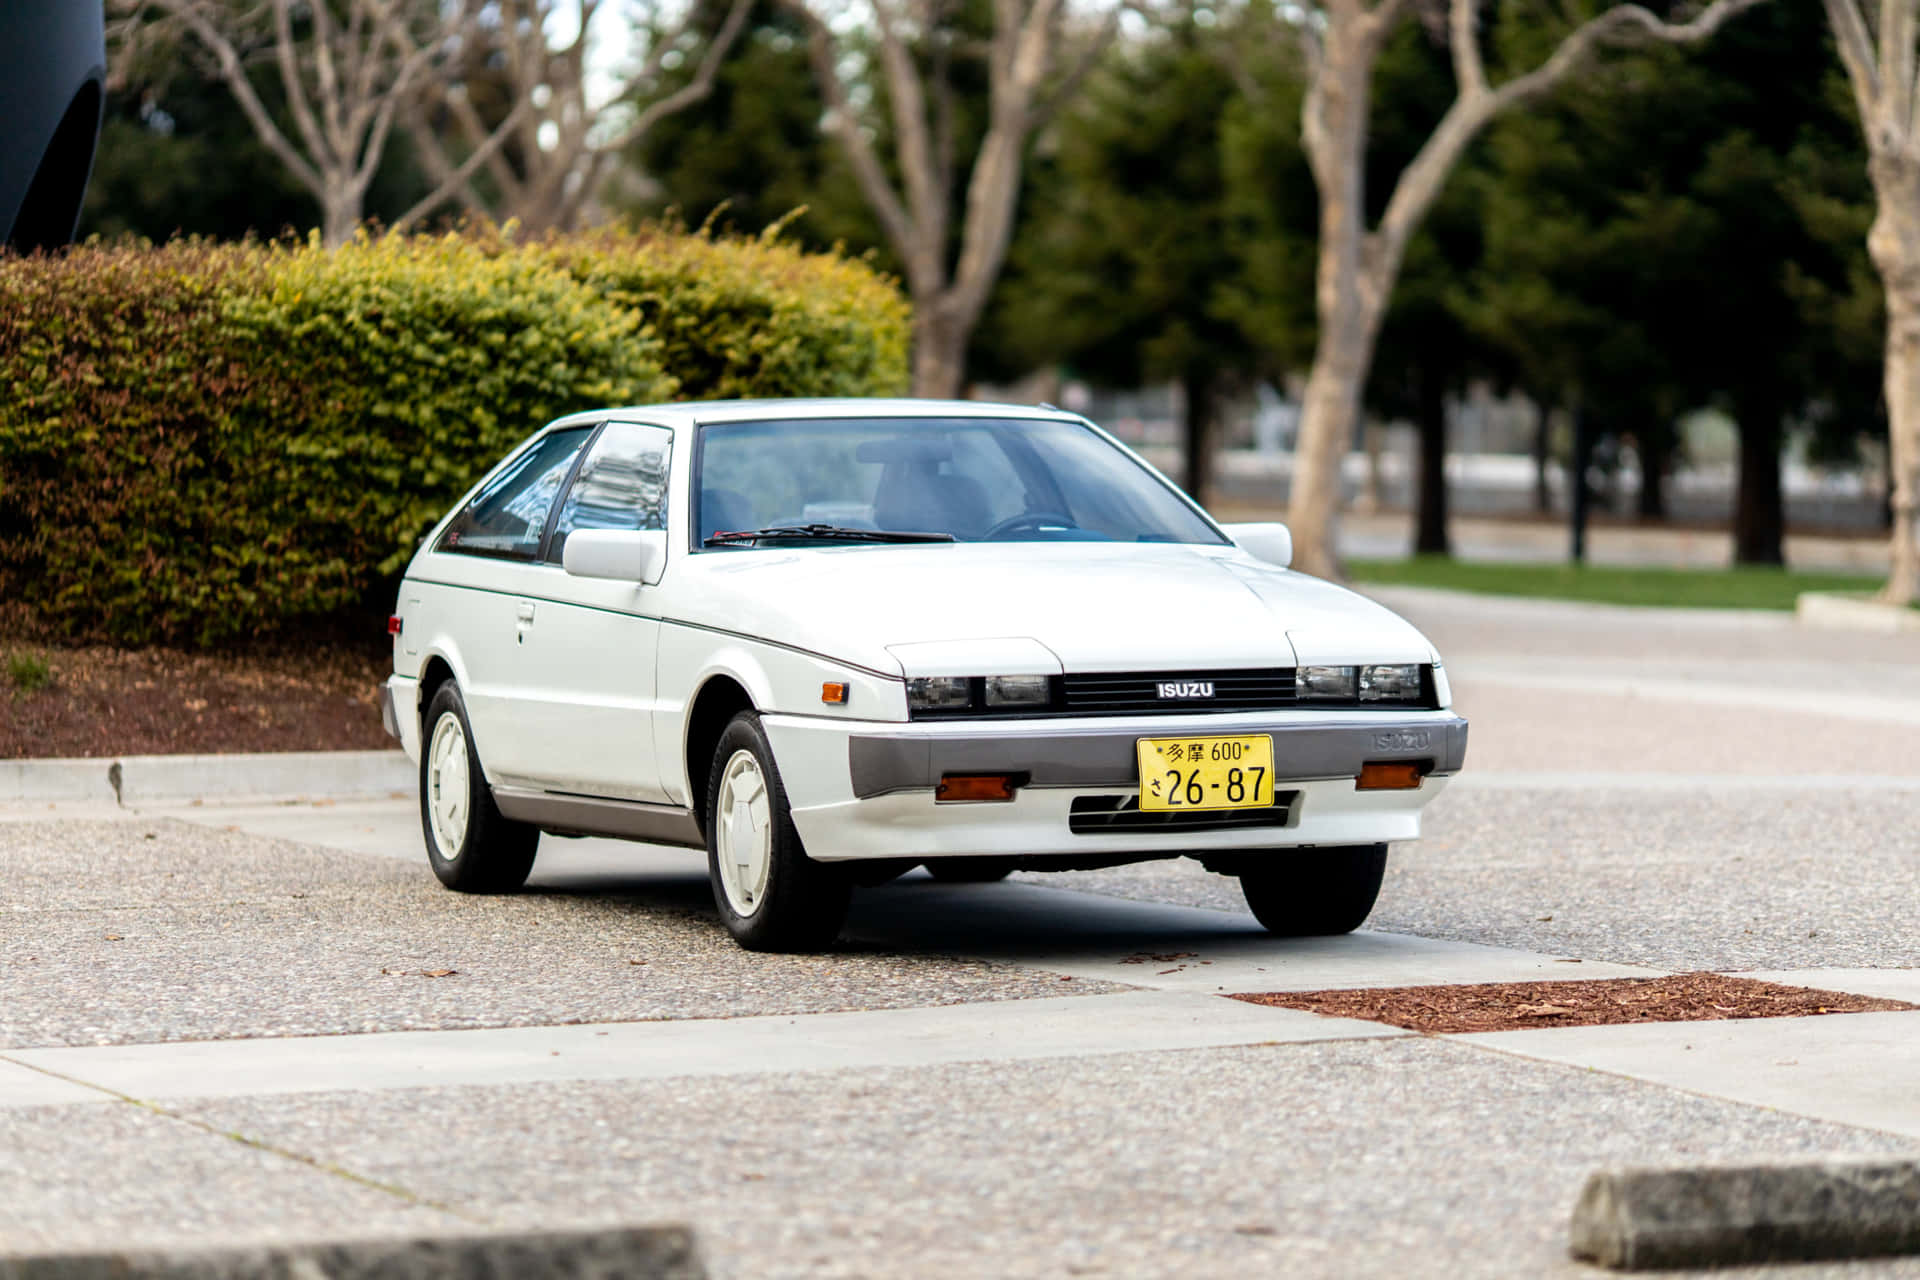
x=116, y=934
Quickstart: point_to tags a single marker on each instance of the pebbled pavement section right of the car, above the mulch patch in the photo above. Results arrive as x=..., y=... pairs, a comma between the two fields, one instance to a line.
x=1735, y=880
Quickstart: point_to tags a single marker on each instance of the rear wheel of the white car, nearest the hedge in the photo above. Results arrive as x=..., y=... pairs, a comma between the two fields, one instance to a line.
x=469, y=843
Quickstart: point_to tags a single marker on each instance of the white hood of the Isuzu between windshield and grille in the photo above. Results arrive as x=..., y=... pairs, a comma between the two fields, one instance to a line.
x=1093, y=607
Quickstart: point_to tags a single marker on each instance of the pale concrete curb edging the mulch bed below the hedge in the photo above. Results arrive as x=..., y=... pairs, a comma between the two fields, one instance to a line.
x=160, y=780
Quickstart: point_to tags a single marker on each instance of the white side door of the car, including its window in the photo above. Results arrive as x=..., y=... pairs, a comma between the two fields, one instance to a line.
x=592, y=646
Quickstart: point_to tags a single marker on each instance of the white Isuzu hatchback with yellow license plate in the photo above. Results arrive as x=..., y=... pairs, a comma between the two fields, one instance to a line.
x=832, y=640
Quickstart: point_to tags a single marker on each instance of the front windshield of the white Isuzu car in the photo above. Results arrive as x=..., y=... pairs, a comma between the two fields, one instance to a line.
x=969, y=479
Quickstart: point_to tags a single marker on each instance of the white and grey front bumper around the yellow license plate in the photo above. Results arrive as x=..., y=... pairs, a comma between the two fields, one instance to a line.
x=867, y=790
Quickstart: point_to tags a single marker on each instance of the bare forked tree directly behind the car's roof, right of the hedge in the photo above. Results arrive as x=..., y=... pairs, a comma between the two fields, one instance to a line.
x=917, y=43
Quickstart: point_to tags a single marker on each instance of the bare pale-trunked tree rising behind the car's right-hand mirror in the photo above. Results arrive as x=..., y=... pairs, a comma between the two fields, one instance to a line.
x=1358, y=266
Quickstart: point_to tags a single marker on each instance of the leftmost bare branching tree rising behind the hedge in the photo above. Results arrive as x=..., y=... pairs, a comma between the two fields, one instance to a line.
x=347, y=70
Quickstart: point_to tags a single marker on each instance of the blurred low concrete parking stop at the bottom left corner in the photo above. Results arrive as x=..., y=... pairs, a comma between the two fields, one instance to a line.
x=636, y=1252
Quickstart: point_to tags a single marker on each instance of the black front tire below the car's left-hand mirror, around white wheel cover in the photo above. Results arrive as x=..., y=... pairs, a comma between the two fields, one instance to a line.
x=804, y=903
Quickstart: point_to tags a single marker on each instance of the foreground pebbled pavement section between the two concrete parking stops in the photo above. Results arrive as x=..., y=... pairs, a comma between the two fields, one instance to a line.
x=1330, y=1160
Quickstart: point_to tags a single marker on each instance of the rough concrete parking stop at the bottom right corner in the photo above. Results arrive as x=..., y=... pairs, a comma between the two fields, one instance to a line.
x=1644, y=1220
